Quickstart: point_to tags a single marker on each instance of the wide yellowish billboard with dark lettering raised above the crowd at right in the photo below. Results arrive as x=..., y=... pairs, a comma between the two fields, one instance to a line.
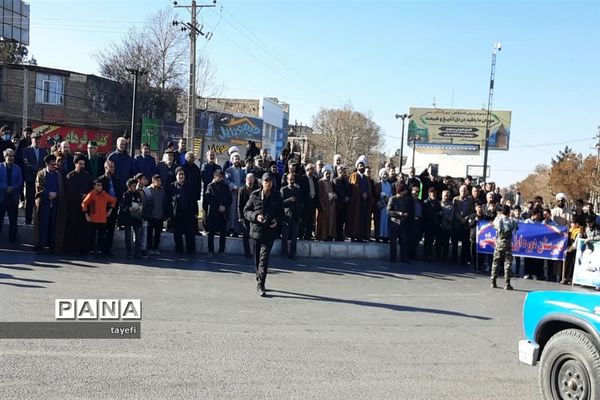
x=456, y=126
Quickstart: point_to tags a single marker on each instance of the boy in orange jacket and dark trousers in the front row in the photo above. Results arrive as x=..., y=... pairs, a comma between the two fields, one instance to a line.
x=97, y=206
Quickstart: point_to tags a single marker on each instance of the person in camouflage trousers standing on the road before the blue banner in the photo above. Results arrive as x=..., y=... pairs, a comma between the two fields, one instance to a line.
x=505, y=227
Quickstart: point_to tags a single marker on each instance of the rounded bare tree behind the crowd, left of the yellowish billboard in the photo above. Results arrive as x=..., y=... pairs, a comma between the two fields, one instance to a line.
x=345, y=131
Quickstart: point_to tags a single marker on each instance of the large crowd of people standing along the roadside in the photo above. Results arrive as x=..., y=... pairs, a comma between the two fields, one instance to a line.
x=76, y=201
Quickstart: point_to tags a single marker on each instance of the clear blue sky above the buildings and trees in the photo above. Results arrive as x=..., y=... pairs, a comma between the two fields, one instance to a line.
x=382, y=56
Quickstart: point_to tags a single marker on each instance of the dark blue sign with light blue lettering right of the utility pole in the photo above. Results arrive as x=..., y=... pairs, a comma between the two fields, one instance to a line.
x=225, y=130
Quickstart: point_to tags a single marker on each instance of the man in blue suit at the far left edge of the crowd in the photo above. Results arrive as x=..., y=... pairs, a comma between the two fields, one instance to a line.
x=11, y=183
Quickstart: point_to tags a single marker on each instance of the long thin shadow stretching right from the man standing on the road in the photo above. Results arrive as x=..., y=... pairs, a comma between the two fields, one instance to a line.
x=393, y=307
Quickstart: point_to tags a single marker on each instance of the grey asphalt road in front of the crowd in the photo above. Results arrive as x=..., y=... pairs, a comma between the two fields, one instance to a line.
x=330, y=329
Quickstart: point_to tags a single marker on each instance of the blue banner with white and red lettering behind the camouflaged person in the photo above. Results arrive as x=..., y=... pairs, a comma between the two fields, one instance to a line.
x=531, y=240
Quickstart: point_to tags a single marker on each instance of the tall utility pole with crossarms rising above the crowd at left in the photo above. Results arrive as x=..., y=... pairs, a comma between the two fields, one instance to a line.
x=194, y=30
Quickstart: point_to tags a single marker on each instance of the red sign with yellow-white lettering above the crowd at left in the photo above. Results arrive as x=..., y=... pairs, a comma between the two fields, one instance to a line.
x=77, y=137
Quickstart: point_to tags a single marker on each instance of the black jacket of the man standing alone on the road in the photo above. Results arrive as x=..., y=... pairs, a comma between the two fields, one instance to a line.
x=272, y=210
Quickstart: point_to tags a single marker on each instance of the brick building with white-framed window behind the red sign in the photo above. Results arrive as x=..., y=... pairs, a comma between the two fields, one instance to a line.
x=65, y=104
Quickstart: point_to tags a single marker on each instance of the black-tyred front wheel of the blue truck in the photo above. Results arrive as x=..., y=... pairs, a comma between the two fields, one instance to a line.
x=570, y=367
